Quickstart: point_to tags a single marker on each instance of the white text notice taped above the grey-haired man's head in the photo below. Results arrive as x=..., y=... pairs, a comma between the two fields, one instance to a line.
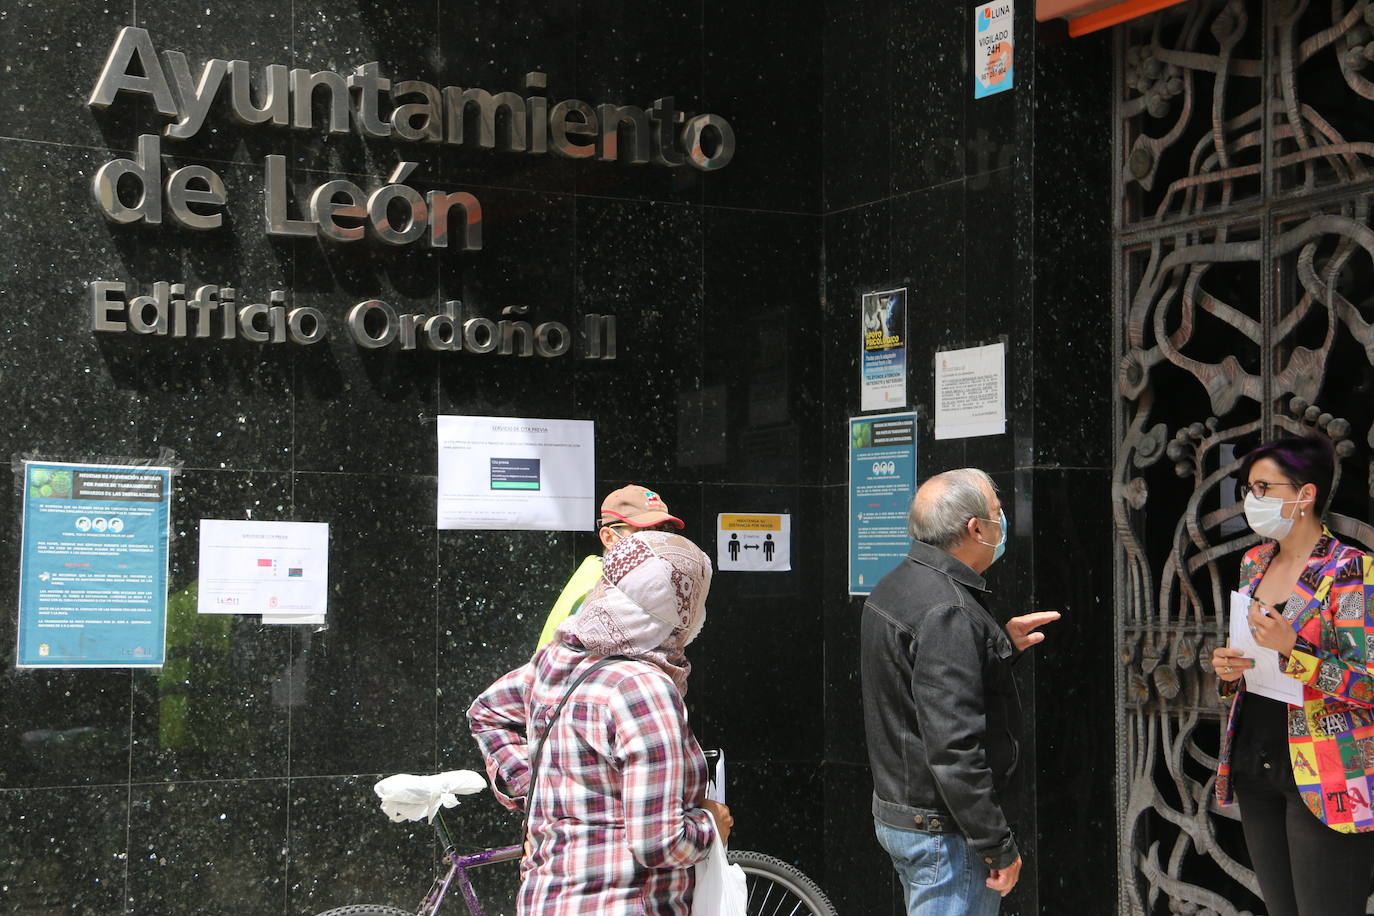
x=971, y=392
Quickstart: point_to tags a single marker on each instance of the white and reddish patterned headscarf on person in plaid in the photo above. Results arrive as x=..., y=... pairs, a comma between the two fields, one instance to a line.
x=649, y=605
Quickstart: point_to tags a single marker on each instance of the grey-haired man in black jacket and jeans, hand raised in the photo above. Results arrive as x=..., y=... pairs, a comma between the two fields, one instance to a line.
x=942, y=712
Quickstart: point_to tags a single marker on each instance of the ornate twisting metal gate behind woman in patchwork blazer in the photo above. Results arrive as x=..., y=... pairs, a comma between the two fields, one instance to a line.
x=1244, y=311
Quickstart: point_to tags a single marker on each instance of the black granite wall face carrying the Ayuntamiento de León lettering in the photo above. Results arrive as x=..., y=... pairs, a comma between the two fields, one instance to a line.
x=238, y=781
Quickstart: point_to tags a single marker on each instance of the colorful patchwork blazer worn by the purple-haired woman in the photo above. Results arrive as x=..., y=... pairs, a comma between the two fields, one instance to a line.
x=1332, y=735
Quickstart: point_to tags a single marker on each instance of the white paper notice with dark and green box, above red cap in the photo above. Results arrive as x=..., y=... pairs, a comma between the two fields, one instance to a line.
x=501, y=473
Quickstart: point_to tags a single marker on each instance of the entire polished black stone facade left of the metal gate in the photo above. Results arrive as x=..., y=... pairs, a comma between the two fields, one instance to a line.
x=241, y=775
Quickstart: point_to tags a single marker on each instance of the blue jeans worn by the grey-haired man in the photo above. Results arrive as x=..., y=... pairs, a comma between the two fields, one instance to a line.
x=939, y=874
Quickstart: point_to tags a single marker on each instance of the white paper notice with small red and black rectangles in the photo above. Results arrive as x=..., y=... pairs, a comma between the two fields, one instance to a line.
x=277, y=569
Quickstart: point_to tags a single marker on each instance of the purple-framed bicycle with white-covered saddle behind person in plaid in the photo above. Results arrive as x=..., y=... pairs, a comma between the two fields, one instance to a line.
x=776, y=888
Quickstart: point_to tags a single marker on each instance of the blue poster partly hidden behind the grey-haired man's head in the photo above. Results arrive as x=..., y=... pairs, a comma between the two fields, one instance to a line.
x=883, y=480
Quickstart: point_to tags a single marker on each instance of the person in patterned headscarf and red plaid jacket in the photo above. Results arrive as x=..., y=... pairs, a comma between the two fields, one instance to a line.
x=619, y=815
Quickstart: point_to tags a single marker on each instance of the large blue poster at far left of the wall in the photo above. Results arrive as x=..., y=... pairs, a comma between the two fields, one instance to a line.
x=94, y=566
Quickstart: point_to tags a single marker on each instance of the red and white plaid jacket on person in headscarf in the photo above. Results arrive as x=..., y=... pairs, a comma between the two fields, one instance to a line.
x=616, y=825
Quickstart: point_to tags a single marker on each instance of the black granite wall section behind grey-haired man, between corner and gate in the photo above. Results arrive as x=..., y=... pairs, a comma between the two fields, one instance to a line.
x=994, y=214
